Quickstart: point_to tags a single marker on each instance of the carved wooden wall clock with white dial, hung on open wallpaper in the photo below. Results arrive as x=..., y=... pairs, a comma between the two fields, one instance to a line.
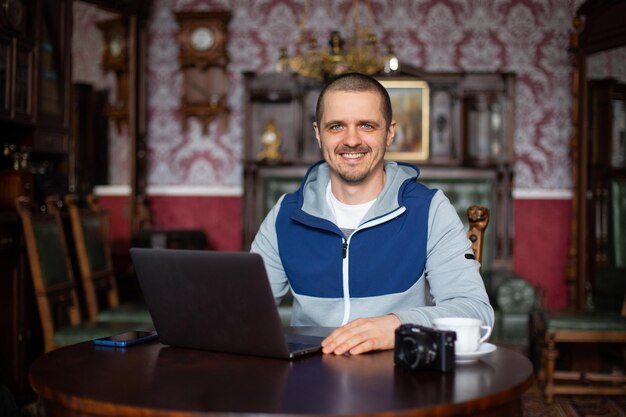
x=203, y=59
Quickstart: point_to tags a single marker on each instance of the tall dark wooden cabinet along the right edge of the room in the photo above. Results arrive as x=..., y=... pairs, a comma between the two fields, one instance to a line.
x=598, y=145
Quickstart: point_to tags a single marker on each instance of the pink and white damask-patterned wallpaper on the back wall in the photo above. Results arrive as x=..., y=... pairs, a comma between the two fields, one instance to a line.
x=527, y=37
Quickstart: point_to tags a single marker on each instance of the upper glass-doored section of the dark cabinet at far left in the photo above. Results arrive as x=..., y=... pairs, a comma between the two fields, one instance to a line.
x=34, y=85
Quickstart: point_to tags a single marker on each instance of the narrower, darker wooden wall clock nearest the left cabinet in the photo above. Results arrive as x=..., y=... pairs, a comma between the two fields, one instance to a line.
x=115, y=59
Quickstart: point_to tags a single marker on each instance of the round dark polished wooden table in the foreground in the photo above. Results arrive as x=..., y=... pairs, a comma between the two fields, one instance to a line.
x=157, y=380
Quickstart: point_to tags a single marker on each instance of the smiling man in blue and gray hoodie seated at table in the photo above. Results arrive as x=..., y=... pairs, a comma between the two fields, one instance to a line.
x=361, y=244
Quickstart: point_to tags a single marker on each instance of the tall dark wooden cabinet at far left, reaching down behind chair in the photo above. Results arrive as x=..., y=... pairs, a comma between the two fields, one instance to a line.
x=34, y=91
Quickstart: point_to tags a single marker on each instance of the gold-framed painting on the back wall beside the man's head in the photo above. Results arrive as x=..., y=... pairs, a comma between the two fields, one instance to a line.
x=411, y=110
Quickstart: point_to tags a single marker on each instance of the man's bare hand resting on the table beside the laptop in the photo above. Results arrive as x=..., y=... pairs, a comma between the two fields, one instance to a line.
x=363, y=335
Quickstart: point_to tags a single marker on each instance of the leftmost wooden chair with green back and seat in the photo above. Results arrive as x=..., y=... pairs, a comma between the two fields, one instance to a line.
x=53, y=280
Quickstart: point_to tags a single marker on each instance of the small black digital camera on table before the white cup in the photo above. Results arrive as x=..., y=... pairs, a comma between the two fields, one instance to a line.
x=423, y=348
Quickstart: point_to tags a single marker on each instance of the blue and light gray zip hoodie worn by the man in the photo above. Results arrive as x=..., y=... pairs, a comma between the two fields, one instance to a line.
x=410, y=255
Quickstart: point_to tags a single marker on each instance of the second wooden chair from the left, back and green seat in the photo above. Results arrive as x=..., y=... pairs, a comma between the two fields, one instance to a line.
x=89, y=224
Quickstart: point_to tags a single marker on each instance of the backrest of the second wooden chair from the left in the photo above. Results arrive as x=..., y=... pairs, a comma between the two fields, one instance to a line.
x=90, y=229
